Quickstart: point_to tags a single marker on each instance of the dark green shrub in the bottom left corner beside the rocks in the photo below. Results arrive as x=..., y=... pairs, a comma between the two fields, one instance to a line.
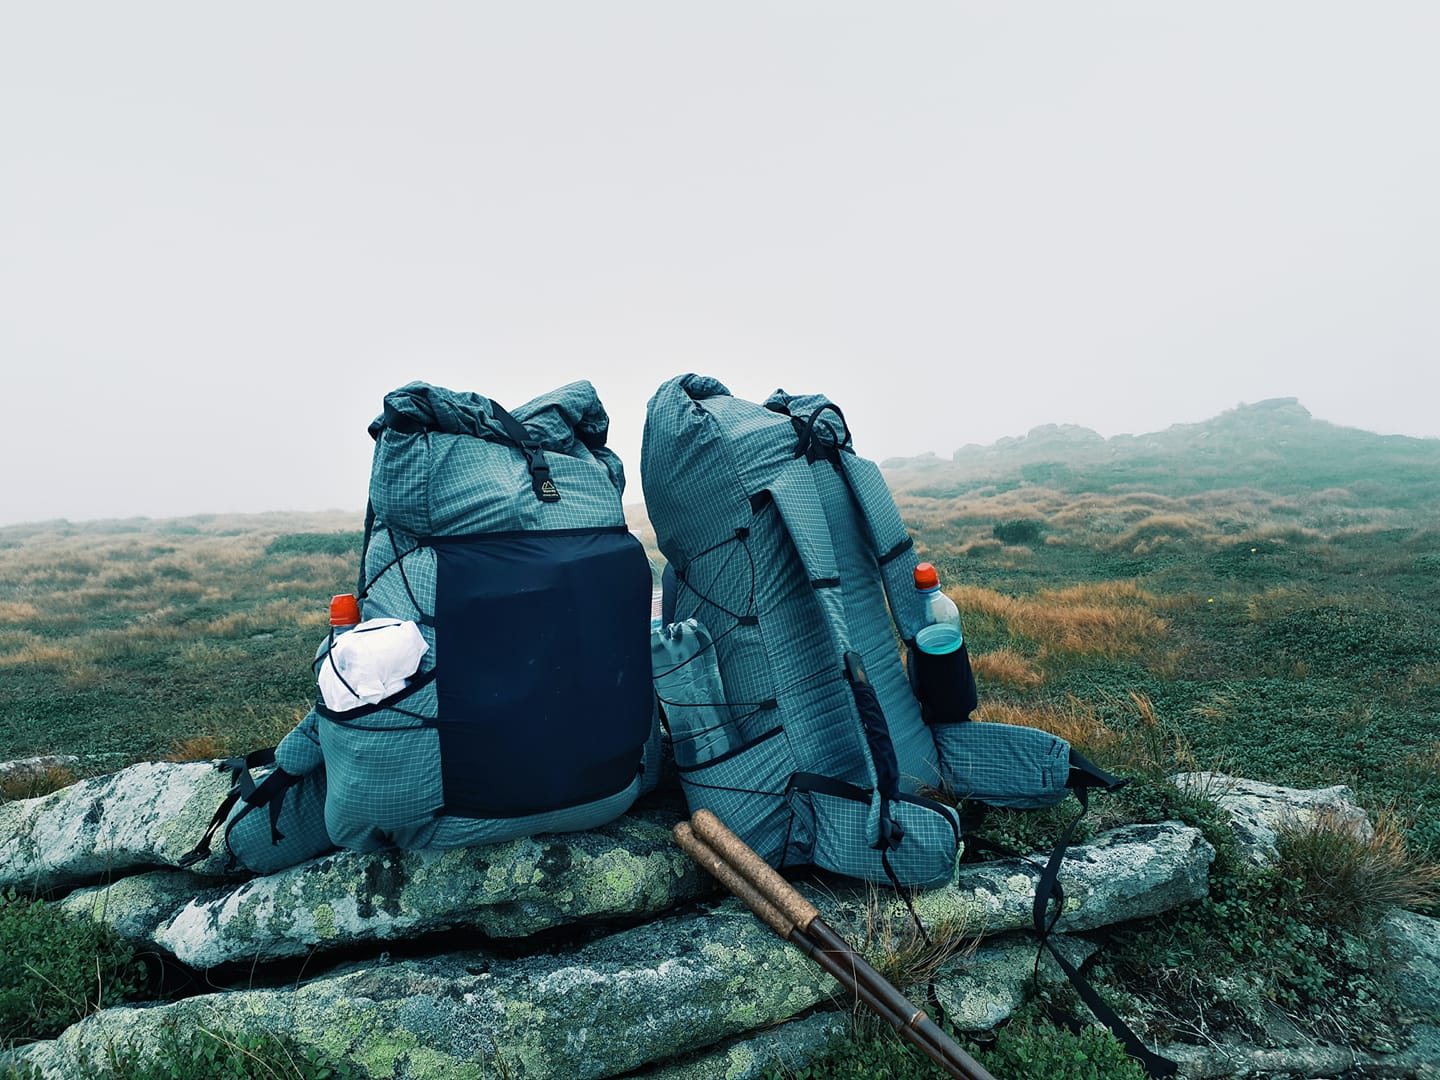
x=55, y=968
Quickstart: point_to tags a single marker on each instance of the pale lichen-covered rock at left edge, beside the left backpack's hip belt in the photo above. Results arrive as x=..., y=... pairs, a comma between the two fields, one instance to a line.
x=148, y=816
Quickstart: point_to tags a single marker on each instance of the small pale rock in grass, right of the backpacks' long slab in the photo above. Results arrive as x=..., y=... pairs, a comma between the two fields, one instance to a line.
x=1259, y=811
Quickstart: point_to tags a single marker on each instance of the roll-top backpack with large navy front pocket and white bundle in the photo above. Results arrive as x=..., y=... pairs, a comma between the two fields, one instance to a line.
x=502, y=539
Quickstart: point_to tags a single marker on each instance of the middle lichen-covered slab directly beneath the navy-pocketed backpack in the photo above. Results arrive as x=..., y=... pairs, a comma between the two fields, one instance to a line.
x=630, y=869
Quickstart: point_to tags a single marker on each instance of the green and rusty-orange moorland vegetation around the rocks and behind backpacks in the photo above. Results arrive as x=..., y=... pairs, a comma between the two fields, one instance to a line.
x=1256, y=603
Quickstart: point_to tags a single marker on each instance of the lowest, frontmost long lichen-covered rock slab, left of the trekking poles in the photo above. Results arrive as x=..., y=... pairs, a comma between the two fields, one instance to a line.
x=633, y=999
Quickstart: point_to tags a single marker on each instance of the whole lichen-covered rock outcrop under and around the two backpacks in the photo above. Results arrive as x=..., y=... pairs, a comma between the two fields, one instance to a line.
x=584, y=955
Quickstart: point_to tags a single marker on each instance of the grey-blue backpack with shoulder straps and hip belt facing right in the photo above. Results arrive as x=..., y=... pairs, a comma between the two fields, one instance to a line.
x=788, y=549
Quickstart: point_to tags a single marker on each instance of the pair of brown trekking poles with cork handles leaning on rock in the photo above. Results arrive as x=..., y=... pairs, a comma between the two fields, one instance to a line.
x=777, y=904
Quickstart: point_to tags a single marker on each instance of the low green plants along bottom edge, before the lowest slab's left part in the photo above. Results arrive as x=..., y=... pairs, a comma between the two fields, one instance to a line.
x=217, y=1055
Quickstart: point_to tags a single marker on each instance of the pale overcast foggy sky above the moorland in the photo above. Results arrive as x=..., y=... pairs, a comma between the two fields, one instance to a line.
x=227, y=231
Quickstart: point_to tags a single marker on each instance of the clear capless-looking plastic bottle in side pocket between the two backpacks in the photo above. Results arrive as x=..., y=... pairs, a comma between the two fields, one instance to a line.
x=688, y=682
